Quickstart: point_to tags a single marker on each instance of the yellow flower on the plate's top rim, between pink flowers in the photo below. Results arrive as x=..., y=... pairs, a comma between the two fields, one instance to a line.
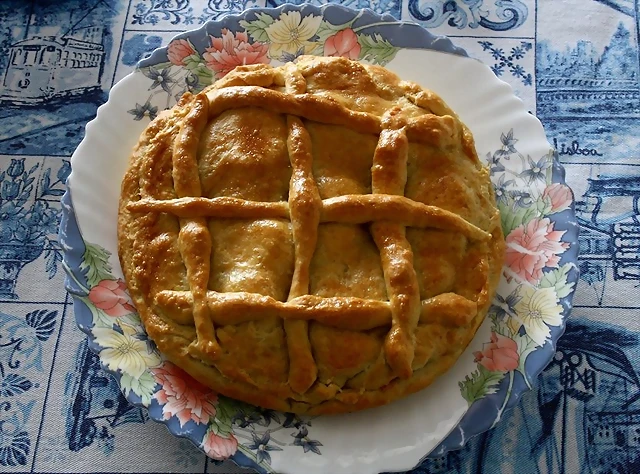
x=291, y=33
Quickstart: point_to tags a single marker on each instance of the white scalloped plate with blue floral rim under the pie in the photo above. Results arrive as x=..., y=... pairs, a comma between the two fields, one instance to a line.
x=510, y=350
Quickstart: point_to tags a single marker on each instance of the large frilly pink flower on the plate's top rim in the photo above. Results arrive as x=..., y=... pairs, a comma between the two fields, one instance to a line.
x=231, y=50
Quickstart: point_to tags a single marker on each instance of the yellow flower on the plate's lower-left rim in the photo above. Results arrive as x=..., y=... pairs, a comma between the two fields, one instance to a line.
x=124, y=351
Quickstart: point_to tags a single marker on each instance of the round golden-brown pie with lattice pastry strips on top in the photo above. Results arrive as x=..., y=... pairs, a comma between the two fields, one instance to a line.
x=315, y=238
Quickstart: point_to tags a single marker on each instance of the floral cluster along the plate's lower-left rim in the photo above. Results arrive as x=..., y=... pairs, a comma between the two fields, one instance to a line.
x=230, y=426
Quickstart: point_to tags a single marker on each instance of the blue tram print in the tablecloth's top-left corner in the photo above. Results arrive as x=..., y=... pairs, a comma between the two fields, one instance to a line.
x=55, y=69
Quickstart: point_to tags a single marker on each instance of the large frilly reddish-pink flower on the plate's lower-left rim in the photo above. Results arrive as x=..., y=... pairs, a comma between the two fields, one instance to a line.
x=183, y=396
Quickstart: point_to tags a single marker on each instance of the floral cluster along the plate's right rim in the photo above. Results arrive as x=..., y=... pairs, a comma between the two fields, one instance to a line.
x=528, y=302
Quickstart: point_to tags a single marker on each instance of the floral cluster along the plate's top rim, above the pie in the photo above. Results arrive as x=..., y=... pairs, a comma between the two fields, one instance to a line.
x=260, y=38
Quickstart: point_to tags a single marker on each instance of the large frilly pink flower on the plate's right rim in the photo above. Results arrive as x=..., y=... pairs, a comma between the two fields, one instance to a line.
x=532, y=247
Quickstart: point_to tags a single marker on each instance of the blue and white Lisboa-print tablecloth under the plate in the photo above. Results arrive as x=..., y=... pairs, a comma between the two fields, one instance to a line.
x=574, y=63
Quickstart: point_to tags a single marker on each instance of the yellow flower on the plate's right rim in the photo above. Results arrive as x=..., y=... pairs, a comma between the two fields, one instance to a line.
x=536, y=311
